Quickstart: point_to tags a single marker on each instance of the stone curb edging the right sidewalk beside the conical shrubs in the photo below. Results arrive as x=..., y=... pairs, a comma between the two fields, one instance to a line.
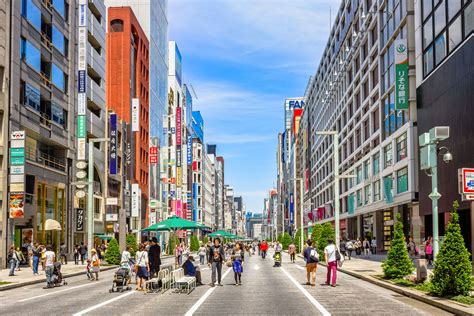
x=440, y=303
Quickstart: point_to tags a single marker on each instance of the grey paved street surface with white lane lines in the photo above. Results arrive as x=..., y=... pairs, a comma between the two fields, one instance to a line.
x=265, y=291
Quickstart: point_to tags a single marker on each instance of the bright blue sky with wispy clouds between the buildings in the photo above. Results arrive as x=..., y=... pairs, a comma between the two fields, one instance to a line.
x=243, y=58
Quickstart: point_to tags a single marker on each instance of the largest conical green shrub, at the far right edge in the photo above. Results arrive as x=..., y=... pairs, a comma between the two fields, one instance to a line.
x=452, y=272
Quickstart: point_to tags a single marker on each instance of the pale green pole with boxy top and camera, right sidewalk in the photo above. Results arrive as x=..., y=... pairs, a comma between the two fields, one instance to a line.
x=429, y=162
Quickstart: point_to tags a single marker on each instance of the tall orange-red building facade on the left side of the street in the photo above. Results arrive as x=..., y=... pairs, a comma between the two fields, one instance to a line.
x=128, y=78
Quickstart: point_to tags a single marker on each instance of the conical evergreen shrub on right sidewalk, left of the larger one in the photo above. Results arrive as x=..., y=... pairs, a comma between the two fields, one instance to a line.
x=398, y=264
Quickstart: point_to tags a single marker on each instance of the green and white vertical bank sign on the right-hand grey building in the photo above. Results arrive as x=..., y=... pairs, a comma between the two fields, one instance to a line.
x=401, y=75
